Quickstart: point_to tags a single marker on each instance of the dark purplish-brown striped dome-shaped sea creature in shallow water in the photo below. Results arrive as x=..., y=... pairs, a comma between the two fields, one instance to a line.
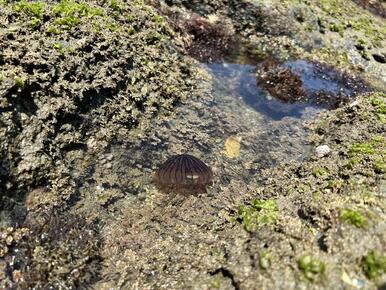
x=184, y=173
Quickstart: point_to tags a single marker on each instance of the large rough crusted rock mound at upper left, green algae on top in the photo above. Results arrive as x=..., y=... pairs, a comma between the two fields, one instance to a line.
x=90, y=83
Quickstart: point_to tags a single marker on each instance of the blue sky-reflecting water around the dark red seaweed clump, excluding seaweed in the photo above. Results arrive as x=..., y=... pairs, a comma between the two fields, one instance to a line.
x=240, y=80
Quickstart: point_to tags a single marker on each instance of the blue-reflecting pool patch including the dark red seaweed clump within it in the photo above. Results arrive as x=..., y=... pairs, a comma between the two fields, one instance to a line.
x=322, y=87
